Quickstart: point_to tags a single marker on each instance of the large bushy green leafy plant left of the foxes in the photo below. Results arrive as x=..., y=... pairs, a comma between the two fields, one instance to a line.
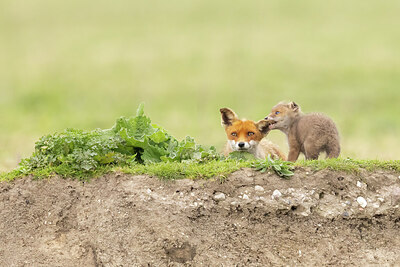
x=130, y=141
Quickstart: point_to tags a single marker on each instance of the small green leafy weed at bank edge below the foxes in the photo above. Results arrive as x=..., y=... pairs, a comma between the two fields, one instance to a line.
x=282, y=168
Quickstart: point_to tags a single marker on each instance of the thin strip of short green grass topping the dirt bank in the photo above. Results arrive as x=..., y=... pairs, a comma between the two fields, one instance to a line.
x=178, y=170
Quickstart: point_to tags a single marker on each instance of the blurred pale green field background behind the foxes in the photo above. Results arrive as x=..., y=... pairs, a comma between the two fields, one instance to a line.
x=82, y=64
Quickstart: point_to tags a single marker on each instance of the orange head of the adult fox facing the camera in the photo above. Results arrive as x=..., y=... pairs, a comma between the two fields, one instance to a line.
x=243, y=135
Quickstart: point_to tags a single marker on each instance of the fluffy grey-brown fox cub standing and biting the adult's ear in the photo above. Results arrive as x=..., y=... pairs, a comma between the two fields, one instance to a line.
x=307, y=133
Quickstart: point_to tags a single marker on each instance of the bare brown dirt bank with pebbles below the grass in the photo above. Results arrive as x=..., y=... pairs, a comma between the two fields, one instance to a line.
x=250, y=219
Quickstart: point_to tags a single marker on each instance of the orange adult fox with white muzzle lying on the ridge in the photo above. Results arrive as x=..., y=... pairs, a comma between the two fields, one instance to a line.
x=247, y=135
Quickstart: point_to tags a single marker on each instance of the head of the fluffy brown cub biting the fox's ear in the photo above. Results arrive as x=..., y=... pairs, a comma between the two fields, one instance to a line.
x=282, y=114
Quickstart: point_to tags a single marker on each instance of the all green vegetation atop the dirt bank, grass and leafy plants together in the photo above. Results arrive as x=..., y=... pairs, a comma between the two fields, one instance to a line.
x=136, y=146
